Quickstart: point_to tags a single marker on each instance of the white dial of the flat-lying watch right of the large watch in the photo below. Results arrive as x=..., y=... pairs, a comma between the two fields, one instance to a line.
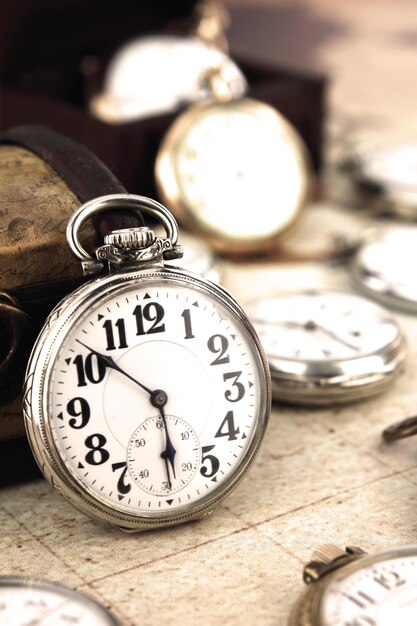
x=322, y=326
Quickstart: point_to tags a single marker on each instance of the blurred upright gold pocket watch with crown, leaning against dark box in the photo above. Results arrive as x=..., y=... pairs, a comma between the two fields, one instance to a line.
x=234, y=171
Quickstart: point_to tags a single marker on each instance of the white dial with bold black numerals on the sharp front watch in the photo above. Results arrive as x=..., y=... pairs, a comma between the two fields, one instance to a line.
x=155, y=395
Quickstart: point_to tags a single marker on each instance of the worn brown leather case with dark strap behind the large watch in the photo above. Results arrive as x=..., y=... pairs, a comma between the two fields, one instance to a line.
x=44, y=177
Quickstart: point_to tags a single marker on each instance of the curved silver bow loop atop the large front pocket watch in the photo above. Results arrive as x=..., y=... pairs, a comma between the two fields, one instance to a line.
x=120, y=202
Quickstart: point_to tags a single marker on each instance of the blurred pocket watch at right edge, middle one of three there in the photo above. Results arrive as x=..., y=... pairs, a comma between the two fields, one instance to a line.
x=385, y=267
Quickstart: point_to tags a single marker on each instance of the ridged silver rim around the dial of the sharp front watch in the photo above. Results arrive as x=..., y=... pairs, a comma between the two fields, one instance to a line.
x=35, y=405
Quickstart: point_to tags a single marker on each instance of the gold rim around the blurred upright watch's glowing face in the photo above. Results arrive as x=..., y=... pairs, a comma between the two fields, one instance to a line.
x=169, y=188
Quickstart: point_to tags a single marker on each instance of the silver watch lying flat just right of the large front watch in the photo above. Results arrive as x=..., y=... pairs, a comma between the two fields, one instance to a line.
x=328, y=347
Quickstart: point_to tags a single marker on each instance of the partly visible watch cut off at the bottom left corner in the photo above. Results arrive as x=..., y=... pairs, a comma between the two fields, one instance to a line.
x=28, y=601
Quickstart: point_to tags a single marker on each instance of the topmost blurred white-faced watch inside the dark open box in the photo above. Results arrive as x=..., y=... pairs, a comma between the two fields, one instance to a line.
x=160, y=73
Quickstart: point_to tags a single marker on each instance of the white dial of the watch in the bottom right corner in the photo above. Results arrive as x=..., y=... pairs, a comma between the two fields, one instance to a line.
x=379, y=594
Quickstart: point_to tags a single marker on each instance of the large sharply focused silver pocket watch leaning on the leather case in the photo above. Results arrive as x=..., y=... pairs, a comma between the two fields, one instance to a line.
x=147, y=393
